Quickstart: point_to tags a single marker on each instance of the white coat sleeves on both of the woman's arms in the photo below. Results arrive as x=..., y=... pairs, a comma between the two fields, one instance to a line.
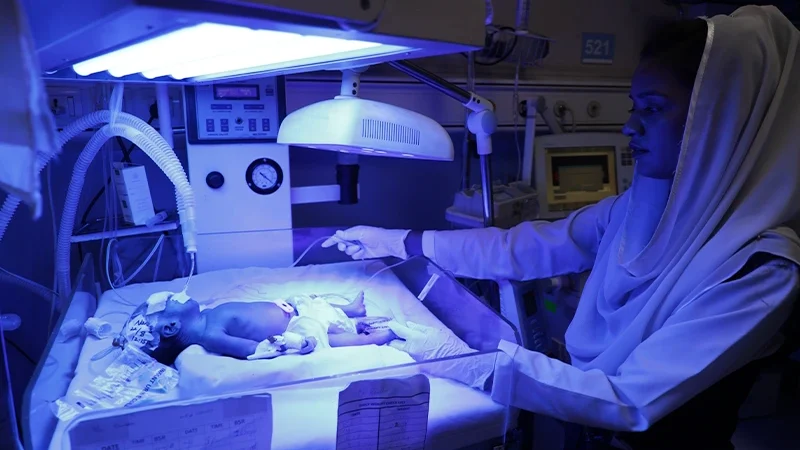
x=697, y=346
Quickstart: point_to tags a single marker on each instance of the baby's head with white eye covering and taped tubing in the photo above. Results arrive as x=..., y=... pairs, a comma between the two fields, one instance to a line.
x=162, y=326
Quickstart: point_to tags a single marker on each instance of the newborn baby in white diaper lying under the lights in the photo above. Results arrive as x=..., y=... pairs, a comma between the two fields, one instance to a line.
x=168, y=323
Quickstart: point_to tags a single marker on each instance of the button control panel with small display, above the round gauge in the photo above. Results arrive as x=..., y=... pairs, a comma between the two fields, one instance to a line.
x=235, y=112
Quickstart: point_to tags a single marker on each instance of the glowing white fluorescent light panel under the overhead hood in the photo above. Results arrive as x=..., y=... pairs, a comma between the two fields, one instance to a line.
x=209, y=48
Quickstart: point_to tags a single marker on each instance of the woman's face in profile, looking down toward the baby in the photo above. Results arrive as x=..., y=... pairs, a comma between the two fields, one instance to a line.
x=658, y=118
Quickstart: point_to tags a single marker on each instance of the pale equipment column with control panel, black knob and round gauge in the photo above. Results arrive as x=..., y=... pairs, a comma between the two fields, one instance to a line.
x=240, y=174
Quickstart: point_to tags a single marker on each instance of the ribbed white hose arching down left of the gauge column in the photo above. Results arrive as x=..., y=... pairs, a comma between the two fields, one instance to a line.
x=146, y=138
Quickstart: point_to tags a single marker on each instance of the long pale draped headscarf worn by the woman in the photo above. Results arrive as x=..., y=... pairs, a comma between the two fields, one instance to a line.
x=738, y=177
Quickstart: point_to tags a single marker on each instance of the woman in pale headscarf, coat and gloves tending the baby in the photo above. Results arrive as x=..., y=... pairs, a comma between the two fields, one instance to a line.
x=693, y=270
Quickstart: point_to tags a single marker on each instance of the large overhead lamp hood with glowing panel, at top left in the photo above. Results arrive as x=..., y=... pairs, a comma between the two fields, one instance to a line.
x=206, y=40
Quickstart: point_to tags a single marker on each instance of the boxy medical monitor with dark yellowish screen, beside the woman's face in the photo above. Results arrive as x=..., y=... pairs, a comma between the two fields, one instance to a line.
x=574, y=170
